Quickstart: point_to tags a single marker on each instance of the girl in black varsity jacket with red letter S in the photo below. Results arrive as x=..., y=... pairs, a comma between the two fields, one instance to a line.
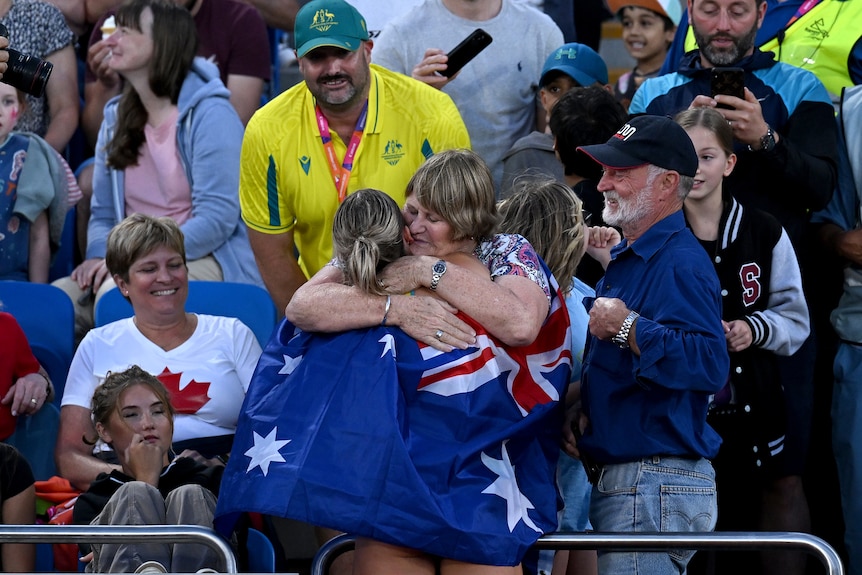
x=764, y=315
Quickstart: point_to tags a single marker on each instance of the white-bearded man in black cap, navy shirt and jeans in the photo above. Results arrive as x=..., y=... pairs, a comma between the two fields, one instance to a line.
x=655, y=354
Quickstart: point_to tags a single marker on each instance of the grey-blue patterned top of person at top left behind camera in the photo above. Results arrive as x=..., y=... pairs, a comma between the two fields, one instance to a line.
x=36, y=28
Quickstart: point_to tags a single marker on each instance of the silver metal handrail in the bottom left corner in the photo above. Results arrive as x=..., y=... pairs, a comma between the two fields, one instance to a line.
x=119, y=534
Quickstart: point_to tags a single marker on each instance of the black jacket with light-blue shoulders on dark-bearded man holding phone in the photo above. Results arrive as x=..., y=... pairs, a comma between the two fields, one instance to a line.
x=798, y=176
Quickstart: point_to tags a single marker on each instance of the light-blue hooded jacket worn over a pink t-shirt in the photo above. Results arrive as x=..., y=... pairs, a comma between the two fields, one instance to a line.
x=209, y=137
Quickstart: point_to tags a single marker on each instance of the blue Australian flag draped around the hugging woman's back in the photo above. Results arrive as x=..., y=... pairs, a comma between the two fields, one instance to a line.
x=374, y=434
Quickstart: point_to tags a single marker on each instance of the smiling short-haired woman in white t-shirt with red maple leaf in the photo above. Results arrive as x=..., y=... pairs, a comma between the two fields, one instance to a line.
x=206, y=362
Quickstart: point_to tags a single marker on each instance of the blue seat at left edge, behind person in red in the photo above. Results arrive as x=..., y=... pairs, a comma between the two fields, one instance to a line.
x=47, y=317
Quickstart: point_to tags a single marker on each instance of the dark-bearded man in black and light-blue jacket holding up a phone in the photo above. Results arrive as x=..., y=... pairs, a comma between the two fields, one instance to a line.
x=785, y=140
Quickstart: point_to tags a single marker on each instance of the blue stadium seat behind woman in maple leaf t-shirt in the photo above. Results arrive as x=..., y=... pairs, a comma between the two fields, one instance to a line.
x=249, y=303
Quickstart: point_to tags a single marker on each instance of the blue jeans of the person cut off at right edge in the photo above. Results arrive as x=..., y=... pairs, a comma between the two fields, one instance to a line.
x=846, y=430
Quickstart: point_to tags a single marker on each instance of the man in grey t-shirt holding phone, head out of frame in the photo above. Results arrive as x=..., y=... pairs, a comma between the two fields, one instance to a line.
x=495, y=91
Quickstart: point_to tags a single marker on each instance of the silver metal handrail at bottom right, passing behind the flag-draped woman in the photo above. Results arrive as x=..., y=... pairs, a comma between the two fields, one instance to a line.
x=644, y=542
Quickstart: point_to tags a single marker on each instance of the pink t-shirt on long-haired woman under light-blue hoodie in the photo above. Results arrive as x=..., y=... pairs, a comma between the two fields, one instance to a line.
x=158, y=185
